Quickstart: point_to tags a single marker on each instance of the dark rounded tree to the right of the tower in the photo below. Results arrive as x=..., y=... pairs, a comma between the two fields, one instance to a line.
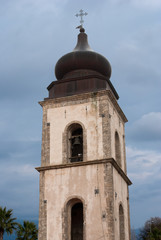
x=151, y=229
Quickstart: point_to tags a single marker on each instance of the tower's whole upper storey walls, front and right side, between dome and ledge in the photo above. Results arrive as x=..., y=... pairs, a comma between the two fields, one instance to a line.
x=94, y=112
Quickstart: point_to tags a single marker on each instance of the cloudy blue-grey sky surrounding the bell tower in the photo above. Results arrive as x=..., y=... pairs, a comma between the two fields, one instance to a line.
x=34, y=34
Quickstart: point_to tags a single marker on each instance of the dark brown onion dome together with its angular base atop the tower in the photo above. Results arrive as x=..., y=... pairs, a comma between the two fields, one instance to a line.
x=81, y=71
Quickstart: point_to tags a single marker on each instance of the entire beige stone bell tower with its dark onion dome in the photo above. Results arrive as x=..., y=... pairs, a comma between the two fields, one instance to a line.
x=83, y=181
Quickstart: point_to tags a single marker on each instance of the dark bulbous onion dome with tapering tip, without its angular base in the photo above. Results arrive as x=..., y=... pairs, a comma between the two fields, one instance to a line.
x=82, y=57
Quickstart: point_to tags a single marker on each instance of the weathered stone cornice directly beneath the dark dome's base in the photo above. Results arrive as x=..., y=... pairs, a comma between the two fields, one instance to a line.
x=74, y=99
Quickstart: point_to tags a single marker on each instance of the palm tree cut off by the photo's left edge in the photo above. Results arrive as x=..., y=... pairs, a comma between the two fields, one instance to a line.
x=7, y=223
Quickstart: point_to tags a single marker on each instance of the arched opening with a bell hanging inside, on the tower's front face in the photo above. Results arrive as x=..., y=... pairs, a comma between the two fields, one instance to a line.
x=75, y=140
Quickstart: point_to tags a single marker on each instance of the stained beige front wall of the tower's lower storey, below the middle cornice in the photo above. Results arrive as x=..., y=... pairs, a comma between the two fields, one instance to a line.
x=80, y=182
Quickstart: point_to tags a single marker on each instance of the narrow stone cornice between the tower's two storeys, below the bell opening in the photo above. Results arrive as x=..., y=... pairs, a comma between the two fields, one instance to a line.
x=93, y=162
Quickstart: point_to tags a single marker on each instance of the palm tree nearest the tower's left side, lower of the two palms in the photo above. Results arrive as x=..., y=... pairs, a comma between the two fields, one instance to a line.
x=27, y=231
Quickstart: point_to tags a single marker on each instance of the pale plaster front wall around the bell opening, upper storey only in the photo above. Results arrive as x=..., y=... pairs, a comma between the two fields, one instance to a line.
x=86, y=114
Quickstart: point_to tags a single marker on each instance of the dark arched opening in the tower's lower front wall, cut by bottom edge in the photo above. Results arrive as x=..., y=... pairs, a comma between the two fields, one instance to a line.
x=77, y=221
